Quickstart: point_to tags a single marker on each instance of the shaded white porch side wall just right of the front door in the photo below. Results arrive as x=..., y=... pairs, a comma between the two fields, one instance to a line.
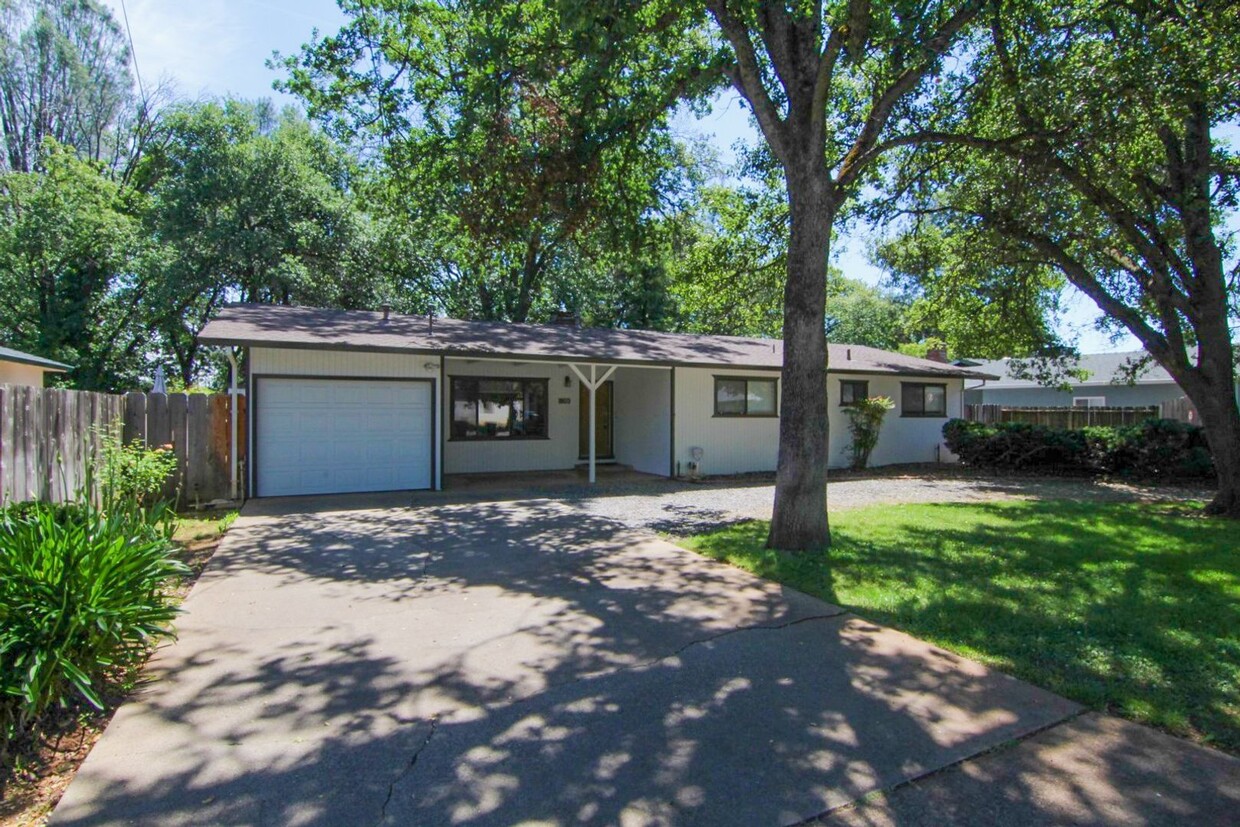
x=643, y=418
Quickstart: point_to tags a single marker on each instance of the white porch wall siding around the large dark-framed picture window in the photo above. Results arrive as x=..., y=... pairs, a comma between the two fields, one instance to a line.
x=555, y=453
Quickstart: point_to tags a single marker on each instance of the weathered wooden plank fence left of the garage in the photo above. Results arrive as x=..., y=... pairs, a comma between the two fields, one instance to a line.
x=49, y=440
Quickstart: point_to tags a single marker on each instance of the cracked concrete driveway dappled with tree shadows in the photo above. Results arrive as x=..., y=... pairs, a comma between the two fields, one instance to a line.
x=354, y=661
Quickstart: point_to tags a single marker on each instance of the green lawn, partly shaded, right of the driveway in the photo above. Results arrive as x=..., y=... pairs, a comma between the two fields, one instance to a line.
x=1134, y=609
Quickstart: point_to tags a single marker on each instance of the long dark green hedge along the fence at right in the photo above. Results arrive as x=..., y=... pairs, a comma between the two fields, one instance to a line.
x=1155, y=449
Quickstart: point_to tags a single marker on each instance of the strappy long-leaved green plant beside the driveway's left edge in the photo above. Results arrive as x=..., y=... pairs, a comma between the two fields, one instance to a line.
x=81, y=599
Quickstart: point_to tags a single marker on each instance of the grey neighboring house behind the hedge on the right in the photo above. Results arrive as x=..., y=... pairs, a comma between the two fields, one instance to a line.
x=1107, y=386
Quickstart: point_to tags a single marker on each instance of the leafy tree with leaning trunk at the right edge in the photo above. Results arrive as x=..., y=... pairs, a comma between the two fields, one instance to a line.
x=1091, y=143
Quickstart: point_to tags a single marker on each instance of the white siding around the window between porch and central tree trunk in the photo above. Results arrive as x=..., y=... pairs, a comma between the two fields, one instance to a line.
x=730, y=444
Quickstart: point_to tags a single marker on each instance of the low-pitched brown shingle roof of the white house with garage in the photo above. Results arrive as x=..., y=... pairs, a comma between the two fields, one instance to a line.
x=364, y=330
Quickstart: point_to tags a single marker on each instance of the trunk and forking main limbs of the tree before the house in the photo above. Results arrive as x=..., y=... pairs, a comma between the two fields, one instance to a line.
x=831, y=86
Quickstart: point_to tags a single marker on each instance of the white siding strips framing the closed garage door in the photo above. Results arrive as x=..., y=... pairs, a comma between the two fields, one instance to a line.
x=290, y=361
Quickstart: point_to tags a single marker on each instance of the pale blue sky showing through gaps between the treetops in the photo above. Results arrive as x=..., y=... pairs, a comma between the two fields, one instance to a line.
x=218, y=48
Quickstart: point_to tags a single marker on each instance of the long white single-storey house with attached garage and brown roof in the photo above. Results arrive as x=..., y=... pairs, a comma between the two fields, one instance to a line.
x=360, y=401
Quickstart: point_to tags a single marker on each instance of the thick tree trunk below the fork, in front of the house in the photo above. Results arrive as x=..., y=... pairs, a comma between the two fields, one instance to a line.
x=800, y=518
